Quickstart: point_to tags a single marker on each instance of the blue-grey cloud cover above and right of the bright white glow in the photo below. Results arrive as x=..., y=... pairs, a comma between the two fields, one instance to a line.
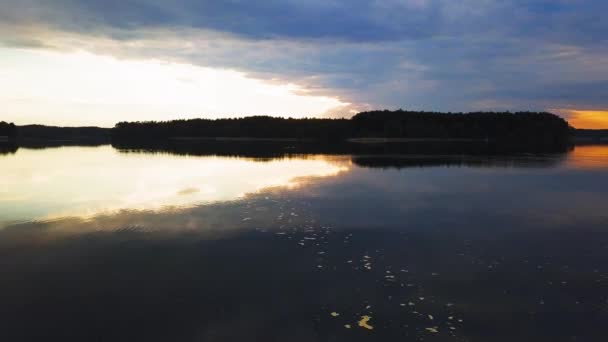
x=427, y=54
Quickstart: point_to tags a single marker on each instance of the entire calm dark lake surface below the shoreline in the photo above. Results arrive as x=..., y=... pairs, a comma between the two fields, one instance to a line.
x=97, y=244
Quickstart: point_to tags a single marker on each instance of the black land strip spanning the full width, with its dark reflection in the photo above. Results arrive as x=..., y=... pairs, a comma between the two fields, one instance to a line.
x=420, y=131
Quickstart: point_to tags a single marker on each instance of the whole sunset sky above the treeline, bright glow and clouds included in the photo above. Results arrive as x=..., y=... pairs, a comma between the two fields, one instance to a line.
x=97, y=62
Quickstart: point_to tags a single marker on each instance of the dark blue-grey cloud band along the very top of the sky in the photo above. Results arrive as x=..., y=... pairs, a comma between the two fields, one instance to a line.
x=352, y=20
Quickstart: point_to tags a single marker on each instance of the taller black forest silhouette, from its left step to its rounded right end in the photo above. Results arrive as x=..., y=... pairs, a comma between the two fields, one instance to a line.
x=521, y=127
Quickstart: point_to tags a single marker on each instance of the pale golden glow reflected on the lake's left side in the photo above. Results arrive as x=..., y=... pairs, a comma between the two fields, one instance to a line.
x=84, y=181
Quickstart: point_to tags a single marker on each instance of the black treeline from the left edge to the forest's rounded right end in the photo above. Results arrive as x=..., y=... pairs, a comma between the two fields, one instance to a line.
x=522, y=129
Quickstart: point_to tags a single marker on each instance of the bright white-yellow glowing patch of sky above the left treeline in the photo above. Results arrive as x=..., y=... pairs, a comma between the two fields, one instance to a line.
x=81, y=88
